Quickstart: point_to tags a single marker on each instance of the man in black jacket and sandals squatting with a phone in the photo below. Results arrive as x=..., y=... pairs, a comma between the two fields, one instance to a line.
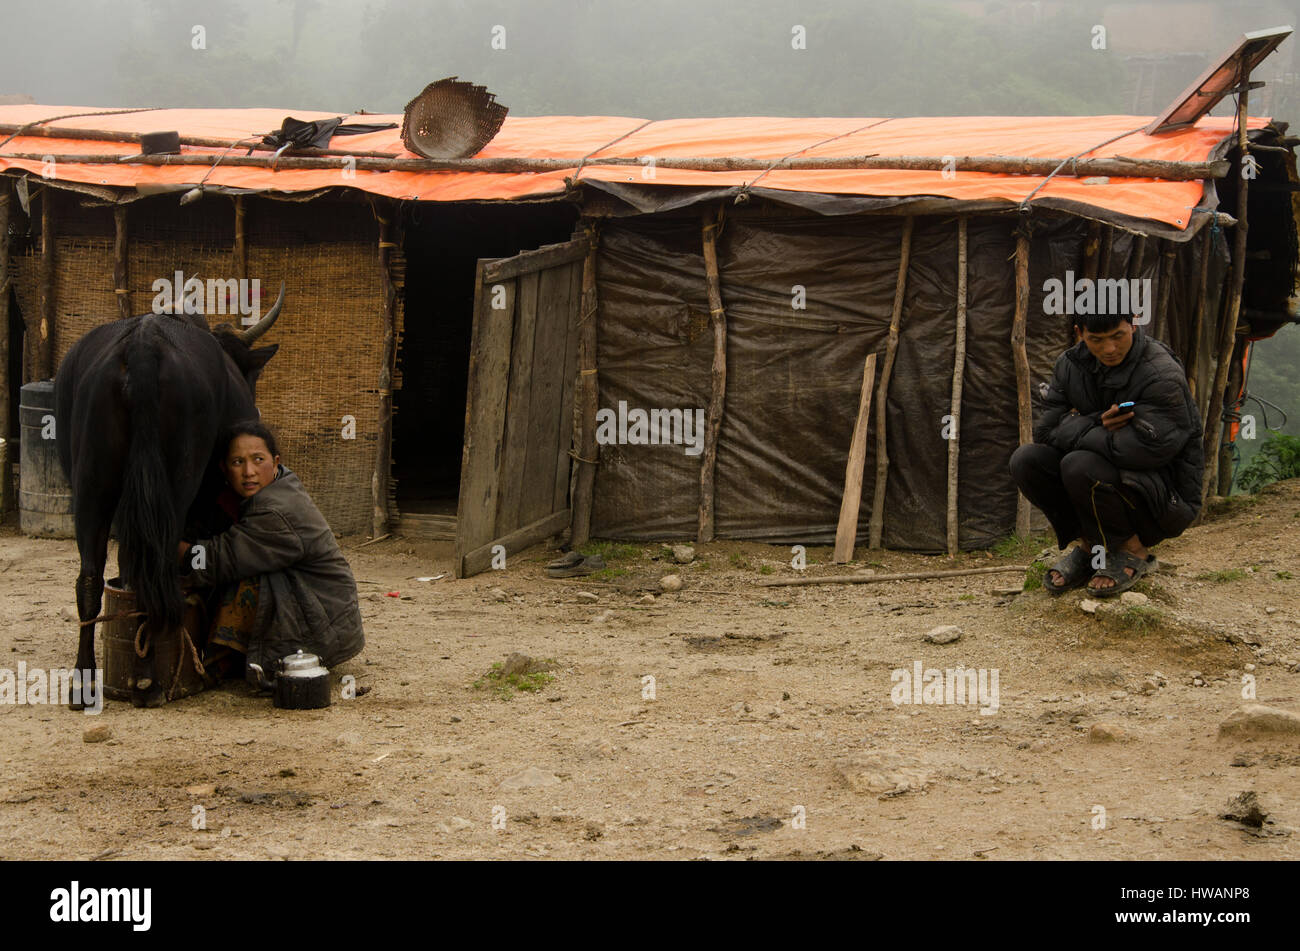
x=1116, y=461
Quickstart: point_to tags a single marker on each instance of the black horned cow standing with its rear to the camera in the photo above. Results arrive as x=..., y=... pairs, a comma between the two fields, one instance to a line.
x=138, y=409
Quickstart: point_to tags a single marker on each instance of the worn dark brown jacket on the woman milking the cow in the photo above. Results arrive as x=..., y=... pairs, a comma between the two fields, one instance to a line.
x=309, y=596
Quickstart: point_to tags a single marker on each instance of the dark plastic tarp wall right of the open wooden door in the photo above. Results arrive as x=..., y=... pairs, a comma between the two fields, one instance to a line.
x=795, y=375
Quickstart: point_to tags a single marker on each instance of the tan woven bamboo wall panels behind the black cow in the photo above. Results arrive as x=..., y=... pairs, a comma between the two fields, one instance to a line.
x=331, y=333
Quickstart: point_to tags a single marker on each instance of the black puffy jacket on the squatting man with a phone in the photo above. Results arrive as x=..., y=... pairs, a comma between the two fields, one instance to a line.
x=1159, y=454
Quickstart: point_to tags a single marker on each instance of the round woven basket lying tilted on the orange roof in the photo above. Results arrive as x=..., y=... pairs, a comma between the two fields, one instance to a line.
x=452, y=120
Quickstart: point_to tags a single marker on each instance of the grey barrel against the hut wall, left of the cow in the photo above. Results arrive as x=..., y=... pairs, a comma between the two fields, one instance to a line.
x=45, y=498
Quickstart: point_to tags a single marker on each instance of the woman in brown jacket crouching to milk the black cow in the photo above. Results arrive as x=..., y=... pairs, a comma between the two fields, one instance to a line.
x=276, y=580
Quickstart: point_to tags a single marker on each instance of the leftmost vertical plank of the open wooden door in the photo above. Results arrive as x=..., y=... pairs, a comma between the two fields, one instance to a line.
x=486, y=418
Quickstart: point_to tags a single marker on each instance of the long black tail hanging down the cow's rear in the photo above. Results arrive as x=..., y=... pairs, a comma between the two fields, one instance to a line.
x=148, y=523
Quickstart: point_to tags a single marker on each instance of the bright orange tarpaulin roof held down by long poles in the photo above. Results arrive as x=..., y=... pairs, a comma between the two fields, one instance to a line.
x=575, y=137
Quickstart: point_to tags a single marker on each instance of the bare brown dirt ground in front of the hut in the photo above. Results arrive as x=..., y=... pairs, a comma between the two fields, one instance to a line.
x=772, y=735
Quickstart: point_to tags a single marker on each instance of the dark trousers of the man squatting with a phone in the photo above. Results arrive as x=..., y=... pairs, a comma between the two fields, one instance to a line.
x=1082, y=496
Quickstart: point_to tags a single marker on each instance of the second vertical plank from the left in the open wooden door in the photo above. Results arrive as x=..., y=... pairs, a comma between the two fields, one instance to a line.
x=514, y=472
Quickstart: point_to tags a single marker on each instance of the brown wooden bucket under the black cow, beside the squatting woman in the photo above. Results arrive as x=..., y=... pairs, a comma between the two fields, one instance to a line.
x=119, y=639
